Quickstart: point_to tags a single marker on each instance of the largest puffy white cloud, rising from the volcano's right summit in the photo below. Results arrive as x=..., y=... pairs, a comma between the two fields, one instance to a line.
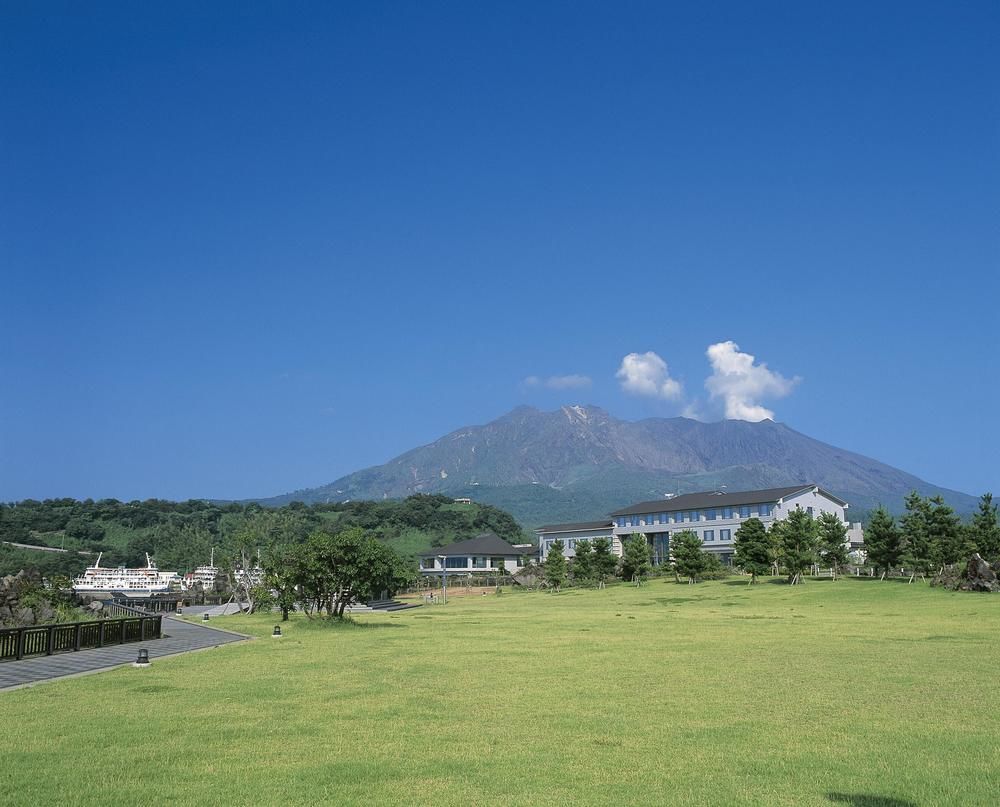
x=742, y=384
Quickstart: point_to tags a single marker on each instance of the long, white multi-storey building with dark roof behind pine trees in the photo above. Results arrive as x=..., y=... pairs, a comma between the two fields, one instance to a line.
x=714, y=516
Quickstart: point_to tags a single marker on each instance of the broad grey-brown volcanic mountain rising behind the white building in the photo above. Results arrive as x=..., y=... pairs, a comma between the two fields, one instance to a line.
x=588, y=462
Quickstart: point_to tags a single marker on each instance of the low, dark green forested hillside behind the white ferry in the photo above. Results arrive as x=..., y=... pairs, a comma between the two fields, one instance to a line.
x=181, y=535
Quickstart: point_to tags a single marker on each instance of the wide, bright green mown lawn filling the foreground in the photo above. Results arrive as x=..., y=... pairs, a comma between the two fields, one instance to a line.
x=854, y=692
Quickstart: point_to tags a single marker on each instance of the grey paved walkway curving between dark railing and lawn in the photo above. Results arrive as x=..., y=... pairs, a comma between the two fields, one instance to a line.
x=178, y=637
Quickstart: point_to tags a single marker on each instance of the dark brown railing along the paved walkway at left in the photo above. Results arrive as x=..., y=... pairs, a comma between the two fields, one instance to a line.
x=44, y=640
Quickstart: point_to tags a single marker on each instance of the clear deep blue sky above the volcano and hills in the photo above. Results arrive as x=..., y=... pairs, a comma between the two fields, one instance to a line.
x=246, y=248
